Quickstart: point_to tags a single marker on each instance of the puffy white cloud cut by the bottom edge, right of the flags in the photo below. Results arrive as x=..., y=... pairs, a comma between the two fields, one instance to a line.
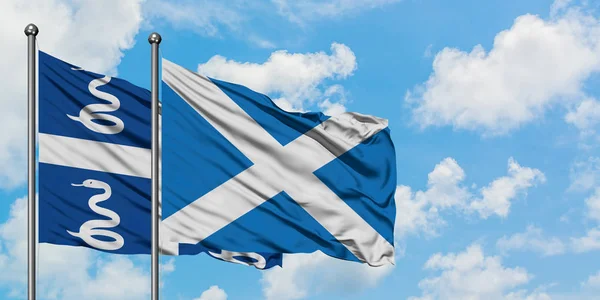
x=471, y=275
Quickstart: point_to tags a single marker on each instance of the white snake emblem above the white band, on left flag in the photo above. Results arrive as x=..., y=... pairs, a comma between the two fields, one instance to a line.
x=92, y=112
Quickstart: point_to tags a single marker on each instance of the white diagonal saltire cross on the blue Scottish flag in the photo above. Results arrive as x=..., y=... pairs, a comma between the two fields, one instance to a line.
x=275, y=168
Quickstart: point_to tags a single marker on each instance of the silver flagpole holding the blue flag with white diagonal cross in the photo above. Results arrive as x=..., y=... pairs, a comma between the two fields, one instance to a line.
x=154, y=39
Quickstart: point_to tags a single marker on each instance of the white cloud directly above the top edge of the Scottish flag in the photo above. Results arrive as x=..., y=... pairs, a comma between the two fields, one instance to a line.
x=296, y=79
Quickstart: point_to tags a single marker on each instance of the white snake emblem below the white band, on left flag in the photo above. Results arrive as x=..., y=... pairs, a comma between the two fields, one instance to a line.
x=89, y=229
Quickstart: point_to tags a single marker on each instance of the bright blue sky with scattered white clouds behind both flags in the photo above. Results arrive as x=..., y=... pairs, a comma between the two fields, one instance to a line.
x=493, y=109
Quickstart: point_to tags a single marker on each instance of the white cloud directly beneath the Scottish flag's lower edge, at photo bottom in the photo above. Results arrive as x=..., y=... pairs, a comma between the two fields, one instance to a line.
x=307, y=274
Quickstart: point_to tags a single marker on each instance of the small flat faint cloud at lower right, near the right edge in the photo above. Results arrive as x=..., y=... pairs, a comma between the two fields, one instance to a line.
x=532, y=240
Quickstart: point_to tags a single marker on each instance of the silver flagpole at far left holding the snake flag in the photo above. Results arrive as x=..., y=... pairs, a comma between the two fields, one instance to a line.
x=31, y=32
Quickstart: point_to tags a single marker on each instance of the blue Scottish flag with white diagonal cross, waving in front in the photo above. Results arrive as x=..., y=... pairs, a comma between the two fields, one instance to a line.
x=241, y=174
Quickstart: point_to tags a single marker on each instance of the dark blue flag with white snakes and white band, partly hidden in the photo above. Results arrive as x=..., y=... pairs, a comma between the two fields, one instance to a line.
x=95, y=163
